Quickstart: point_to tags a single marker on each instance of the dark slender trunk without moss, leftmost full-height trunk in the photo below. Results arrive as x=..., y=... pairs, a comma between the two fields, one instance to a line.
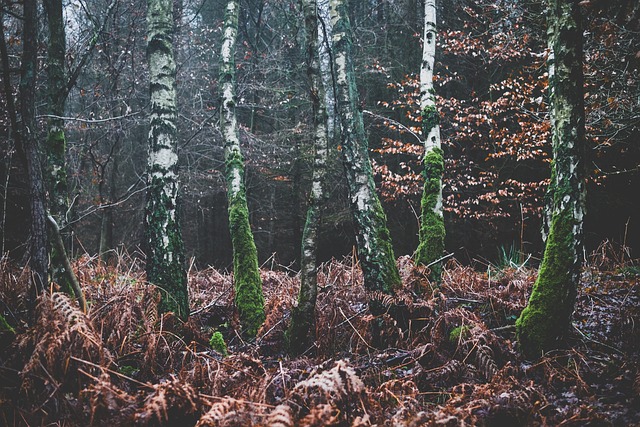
x=29, y=145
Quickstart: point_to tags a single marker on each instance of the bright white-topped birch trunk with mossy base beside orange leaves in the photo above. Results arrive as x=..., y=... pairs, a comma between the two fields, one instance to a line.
x=432, y=231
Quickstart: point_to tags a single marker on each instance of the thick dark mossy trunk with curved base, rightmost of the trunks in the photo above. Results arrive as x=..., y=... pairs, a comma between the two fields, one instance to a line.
x=547, y=317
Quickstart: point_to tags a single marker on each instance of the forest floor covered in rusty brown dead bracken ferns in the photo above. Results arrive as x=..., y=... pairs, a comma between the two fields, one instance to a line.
x=449, y=358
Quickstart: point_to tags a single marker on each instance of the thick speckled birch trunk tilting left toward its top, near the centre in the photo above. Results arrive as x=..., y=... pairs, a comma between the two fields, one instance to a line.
x=372, y=236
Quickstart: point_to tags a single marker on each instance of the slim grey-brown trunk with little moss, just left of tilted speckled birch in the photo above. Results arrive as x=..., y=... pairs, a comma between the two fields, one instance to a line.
x=302, y=329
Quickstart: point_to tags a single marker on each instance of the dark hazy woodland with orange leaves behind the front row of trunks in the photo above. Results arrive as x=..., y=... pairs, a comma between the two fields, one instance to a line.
x=491, y=92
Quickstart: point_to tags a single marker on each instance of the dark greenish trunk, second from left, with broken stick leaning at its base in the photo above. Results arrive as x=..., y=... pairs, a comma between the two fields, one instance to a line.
x=56, y=143
